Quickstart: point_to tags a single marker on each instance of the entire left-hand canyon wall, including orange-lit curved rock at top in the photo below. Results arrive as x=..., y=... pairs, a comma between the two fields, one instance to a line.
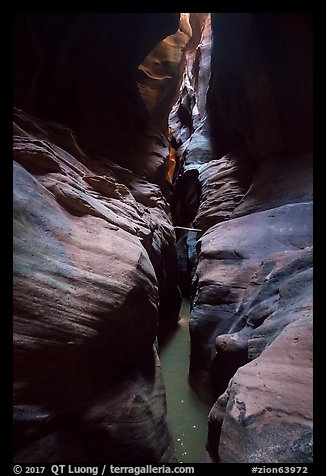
x=95, y=277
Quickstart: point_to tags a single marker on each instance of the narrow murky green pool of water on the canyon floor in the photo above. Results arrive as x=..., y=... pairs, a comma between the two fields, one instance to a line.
x=187, y=415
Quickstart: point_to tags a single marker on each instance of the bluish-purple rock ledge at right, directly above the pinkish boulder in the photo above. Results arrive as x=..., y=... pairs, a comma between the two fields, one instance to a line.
x=238, y=278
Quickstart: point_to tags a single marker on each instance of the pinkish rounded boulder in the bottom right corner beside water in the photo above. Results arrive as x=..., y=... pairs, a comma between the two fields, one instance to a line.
x=266, y=412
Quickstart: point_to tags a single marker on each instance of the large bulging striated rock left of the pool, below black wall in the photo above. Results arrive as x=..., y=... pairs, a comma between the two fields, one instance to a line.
x=88, y=386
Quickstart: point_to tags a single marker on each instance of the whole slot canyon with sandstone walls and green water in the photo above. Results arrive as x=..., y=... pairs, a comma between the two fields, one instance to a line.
x=162, y=238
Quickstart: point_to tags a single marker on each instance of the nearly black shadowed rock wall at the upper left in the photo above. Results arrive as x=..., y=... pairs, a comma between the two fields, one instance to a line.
x=79, y=69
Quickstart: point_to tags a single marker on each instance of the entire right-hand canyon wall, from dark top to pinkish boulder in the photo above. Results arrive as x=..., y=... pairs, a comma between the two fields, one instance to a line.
x=248, y=167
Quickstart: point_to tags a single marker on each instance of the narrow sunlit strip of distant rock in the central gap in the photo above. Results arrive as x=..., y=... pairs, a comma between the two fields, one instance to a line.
x=191, y=145
